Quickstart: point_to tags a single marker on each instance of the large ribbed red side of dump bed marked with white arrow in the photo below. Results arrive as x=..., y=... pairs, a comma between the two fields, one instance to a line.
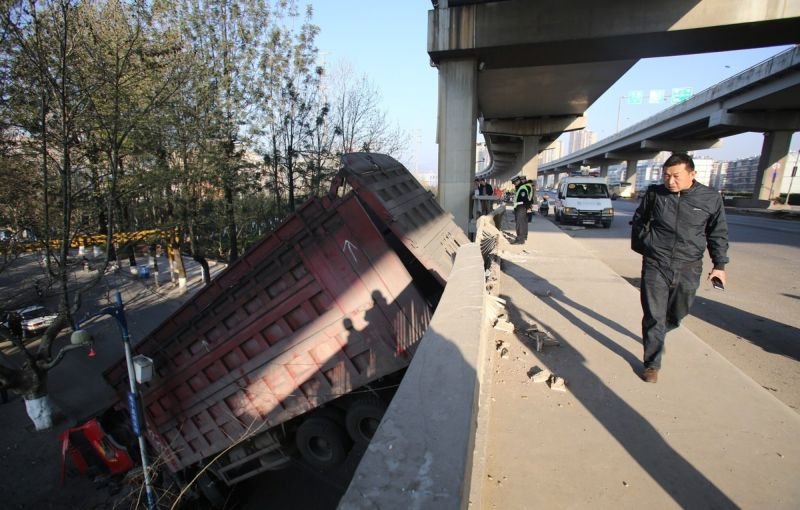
x=318, y=308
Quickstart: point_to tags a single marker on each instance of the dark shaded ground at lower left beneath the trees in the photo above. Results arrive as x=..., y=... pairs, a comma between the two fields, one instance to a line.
x=30, y=474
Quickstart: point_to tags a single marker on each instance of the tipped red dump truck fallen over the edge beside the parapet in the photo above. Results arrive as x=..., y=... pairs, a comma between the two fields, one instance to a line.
x=295, y=347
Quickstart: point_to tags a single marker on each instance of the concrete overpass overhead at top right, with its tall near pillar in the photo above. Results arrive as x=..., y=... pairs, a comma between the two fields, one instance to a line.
x=527, y=71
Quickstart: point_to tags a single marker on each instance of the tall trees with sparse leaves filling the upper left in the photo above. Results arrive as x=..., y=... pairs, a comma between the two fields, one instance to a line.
x=213, y=117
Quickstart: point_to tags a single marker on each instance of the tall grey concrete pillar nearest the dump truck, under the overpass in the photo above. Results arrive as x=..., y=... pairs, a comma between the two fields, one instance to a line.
x=456, y=133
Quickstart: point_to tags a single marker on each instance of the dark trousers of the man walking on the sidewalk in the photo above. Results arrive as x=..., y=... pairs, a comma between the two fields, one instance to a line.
x=667, y=292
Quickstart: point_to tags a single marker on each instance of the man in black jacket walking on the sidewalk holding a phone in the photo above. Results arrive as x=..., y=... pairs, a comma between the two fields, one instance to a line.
x=686, y=218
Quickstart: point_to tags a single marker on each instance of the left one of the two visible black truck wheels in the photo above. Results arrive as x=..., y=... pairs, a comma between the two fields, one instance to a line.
x=322, y=443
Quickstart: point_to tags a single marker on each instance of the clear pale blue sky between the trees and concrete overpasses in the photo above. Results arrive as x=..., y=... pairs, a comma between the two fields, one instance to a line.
x=387, y=41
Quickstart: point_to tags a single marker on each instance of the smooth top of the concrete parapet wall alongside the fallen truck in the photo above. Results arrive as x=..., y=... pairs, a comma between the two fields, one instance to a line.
x=421, y=455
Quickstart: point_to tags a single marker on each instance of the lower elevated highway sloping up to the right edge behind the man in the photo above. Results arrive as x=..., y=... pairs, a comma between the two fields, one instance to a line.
x=764, y=98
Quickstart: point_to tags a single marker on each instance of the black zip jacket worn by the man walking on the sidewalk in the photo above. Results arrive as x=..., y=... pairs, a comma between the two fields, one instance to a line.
x=684, y=224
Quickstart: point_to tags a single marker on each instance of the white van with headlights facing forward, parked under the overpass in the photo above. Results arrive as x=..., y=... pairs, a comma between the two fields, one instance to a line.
x=584, y=201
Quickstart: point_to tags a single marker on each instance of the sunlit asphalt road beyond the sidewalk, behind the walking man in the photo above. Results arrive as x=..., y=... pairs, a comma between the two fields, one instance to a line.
x=755, y=322
